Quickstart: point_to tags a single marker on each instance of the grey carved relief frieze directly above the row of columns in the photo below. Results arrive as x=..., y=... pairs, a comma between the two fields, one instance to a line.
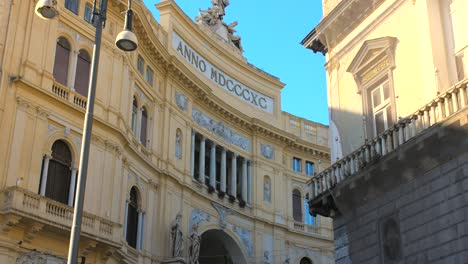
x=220, y=130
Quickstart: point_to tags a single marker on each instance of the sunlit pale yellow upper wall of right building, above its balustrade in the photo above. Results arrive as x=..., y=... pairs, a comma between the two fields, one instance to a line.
x=388, y=45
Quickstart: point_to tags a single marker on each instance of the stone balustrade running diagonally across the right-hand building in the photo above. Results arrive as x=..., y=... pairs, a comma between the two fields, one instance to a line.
x=434, y=112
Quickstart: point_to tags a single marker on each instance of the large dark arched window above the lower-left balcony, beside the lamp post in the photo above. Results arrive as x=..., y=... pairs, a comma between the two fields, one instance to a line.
x=59, y=173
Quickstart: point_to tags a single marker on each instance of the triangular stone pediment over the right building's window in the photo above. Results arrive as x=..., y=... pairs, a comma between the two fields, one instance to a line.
x=370, y=50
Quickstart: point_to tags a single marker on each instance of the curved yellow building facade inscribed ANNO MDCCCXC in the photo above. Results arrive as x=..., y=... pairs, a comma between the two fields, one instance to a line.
x=186, y=134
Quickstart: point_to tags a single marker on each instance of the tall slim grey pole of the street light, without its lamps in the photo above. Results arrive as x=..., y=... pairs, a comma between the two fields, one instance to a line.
x=86, y=140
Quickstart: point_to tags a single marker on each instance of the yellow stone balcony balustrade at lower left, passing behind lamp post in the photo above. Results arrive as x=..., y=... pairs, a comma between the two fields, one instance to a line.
x=39, y=208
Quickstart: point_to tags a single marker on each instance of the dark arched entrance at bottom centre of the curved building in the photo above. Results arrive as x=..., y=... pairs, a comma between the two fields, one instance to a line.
x=217, y=247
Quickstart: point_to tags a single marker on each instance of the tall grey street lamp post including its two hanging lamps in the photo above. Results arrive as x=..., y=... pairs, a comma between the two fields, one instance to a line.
x=126, y=41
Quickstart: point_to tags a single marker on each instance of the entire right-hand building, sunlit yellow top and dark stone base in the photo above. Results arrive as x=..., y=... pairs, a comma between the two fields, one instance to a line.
x=397, y=74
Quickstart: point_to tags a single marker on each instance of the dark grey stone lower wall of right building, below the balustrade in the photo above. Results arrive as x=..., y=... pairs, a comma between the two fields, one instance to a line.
x=409, y=207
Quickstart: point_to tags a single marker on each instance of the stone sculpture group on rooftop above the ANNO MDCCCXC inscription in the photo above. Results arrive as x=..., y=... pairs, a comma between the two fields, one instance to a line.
x=213, y=19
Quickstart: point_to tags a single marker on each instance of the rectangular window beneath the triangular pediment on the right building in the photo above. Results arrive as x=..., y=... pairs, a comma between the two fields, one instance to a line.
x=381, y=108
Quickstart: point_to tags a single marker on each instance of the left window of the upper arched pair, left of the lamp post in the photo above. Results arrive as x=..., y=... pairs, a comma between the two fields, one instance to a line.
x=62, y=59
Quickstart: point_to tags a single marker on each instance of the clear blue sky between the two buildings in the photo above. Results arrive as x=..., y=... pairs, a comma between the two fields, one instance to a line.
x=271, y=36
